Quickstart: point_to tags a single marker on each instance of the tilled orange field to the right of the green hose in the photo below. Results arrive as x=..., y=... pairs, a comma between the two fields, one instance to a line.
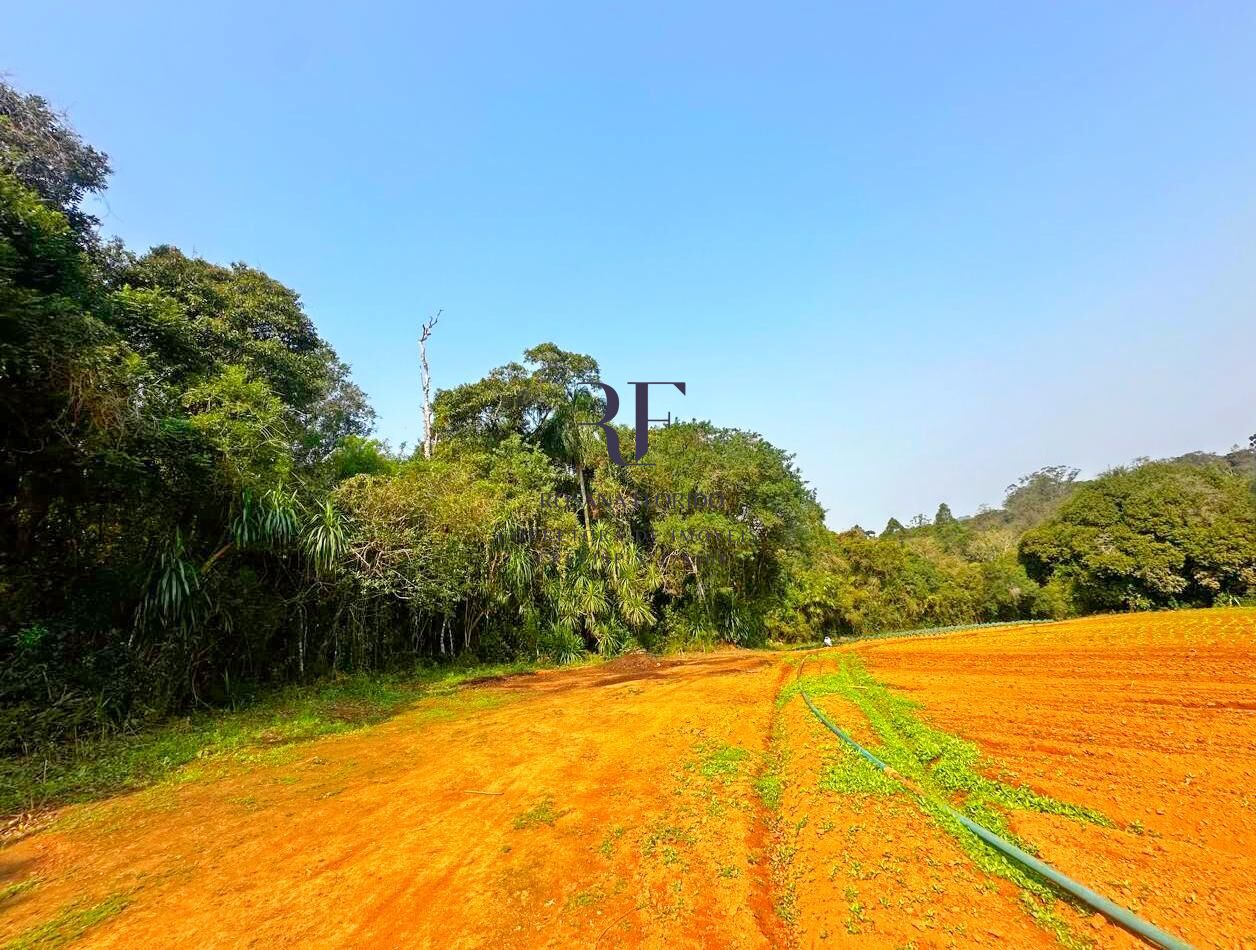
x=1150, y=719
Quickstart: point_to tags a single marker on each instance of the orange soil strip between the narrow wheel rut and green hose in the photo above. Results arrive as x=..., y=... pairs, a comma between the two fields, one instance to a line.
x=874, y=870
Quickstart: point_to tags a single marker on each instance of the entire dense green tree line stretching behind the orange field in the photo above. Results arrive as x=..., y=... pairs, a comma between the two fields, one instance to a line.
x=192, y=502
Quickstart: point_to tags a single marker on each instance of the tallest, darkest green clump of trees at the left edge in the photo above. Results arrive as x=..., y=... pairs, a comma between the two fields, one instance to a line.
x=168, y=427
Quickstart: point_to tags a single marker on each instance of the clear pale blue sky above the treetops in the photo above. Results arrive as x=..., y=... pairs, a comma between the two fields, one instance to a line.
x=928, y=248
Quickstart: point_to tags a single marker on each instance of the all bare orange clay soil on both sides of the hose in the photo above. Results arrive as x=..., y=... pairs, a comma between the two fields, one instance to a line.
x=620, y=806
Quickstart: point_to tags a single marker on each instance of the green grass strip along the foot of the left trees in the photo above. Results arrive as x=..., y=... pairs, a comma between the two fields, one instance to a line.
x=259, y=732
